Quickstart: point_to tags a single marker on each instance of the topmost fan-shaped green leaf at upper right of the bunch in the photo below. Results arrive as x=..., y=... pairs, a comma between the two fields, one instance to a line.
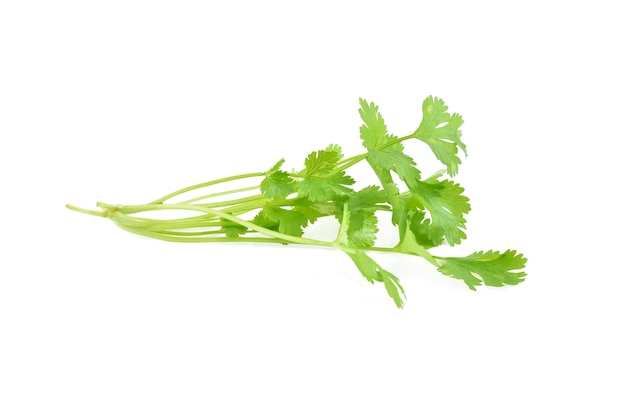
x=441, y=132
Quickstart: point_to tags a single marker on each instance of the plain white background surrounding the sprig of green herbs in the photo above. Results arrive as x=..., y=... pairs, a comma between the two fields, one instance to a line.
x=123, y=101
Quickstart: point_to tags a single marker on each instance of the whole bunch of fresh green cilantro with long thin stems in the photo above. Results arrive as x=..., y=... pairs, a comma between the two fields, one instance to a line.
x=427, y=212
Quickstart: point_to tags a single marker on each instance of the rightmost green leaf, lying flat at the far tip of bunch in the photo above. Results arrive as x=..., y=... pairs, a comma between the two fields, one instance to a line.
x=490, y=268
